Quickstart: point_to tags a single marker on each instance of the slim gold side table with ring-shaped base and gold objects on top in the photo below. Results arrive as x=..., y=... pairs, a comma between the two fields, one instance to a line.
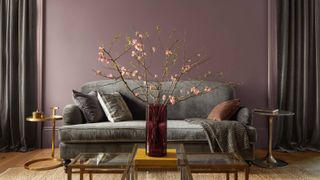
x=54, y=162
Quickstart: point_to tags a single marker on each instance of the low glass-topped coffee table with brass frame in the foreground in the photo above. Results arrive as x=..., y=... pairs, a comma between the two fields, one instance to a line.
x=123, y=163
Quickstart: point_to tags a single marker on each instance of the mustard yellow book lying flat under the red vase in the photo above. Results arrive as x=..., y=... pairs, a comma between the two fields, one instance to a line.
x=168, y=161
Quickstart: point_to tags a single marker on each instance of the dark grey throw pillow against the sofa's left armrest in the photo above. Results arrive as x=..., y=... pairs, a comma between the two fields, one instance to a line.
x=89, y=105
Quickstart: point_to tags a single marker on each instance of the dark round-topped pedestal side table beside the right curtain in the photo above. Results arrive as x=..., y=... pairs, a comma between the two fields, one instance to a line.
x=269, y=161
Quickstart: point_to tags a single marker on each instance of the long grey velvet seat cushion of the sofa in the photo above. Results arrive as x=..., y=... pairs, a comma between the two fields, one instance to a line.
x=127, y=131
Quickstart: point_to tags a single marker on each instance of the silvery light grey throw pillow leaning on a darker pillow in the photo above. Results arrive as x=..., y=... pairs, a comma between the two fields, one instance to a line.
x=114, y=107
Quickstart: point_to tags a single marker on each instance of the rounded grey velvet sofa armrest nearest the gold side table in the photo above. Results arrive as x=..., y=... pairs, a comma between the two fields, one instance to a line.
x=72, y=115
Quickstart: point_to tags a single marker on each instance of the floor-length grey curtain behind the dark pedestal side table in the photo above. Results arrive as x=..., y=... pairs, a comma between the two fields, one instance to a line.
x=298, y=42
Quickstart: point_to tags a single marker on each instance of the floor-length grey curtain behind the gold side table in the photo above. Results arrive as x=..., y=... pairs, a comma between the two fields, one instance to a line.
x=17, y=74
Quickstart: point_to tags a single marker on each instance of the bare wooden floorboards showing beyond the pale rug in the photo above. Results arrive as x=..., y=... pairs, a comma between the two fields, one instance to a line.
x=308, y=160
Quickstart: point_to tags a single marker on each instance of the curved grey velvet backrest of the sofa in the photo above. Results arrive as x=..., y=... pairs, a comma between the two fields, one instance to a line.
x=199, y=106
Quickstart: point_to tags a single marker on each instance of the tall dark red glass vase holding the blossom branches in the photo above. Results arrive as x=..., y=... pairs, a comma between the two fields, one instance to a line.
x=156, y=130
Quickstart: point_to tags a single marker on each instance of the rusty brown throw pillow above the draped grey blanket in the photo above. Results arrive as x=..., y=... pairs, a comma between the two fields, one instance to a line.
x=224, y=110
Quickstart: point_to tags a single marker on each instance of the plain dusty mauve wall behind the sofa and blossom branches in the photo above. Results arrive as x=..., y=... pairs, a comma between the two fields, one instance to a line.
x=233, y=32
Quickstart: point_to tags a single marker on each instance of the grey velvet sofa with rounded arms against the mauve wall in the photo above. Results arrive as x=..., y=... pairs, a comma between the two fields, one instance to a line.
x=76, y=136
